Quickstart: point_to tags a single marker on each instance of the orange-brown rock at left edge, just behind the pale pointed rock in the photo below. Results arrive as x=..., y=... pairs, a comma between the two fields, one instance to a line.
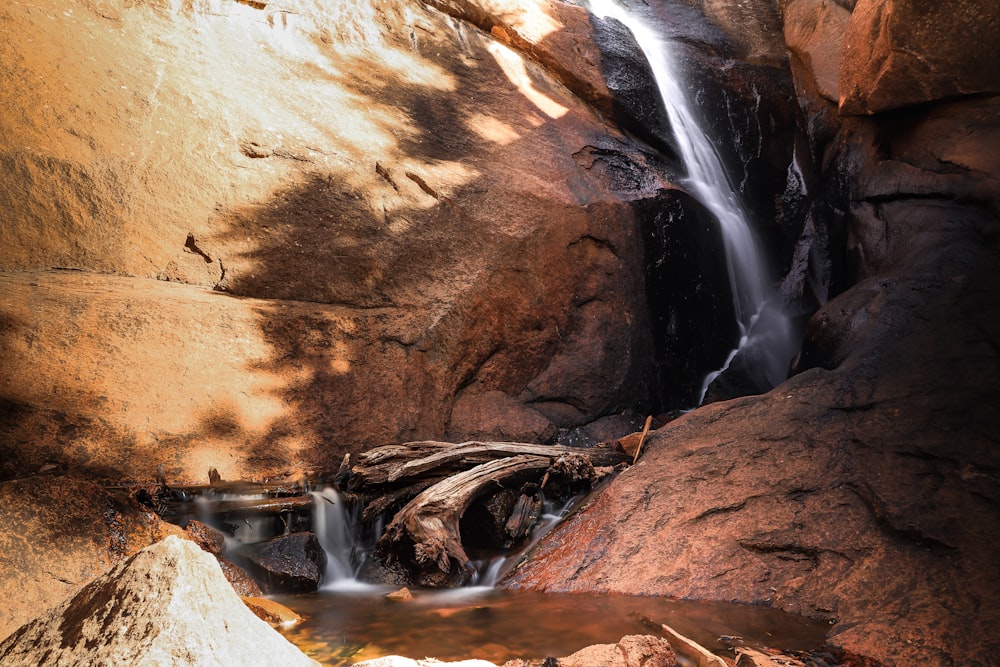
x=59, y=533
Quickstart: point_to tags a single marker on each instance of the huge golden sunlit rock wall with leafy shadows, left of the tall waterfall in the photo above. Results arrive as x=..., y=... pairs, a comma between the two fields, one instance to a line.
x=390, y=204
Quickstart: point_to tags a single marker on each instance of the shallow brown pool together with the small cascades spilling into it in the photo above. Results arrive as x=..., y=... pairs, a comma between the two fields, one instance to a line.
x=349, y=620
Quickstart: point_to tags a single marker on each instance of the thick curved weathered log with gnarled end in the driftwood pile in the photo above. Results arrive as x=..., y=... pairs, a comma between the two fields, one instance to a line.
x=430, y=522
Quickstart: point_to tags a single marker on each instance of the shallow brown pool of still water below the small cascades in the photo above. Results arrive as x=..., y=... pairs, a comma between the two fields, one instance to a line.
x=345, y=627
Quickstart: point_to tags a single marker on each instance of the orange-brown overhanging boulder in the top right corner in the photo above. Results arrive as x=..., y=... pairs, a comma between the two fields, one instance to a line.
x=902, y=52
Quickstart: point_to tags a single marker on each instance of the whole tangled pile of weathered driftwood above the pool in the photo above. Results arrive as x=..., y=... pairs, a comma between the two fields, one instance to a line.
x=434, y=484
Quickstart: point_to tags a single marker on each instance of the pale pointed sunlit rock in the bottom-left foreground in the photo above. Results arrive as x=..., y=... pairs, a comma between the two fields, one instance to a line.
x=167, y=605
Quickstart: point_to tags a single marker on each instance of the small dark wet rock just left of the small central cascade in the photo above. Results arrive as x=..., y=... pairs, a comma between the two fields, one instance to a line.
x=289, y=564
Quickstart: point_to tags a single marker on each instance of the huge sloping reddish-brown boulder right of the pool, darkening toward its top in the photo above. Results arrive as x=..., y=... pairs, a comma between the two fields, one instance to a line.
x=862, y=494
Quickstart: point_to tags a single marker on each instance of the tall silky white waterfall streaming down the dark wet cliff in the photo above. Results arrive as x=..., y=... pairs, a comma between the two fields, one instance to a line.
x=765, y=331
